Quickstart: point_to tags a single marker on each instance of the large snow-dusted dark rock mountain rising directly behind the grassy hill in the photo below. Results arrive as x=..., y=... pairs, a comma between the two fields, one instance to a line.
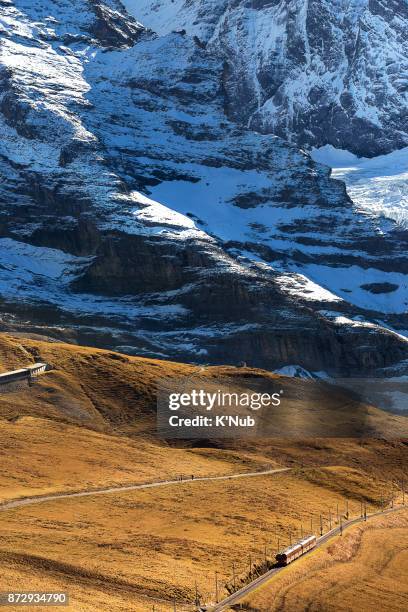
x=137, y=209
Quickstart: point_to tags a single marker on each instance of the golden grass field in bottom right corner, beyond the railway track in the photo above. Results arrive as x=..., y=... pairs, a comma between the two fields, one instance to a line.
x=366, y=569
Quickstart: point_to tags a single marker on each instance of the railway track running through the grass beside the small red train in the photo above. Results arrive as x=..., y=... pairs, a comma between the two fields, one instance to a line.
x=252, y=586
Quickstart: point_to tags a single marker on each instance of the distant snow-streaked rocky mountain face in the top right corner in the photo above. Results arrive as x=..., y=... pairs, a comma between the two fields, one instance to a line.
x=315, y=72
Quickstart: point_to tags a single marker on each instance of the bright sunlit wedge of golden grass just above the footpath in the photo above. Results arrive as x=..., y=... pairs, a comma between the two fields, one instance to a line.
x=39, y=456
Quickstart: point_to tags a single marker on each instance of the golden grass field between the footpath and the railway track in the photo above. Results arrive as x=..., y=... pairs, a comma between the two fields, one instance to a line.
x=142, y=548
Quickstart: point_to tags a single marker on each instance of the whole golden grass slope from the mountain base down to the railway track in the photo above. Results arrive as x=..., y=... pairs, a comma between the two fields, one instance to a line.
x=90, y=423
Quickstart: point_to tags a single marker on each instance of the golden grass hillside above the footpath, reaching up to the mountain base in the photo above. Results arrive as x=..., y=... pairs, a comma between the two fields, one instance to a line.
x=90, y=422
